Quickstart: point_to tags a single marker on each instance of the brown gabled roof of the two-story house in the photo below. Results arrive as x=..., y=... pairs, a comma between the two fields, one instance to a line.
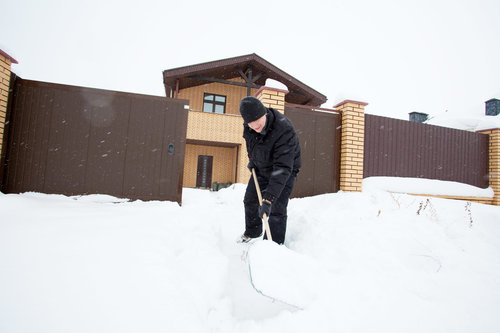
x=225, y=69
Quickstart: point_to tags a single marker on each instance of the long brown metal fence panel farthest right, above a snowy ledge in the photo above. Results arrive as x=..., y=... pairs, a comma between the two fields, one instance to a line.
x=399, y=148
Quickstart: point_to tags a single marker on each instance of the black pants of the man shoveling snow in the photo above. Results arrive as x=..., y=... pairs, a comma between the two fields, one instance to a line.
x=278, y=217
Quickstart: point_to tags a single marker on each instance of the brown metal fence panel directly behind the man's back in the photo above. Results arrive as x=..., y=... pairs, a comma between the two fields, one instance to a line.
x=319, y=137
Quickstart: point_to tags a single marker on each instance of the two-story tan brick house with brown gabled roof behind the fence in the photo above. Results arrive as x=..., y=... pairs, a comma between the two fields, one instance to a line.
x=215, y=149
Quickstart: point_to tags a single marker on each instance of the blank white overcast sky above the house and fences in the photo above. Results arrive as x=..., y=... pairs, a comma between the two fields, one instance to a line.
x=398, y=56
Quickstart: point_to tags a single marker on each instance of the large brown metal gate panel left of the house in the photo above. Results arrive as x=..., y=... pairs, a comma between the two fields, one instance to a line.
x=74, y=140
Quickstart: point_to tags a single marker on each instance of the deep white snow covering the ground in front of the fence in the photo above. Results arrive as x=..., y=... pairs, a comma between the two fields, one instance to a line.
x=369, y=262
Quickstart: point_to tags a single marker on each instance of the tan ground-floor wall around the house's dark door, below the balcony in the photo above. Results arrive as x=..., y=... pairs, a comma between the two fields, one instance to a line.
x=224, y=163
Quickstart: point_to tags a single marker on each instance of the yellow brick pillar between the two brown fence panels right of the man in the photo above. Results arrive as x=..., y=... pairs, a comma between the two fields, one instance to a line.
x=352, y=145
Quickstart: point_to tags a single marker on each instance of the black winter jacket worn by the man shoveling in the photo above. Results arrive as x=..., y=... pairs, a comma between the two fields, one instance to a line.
x=274, y=153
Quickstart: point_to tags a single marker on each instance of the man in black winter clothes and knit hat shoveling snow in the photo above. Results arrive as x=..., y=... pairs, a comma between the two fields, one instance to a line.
x=274, y=153
